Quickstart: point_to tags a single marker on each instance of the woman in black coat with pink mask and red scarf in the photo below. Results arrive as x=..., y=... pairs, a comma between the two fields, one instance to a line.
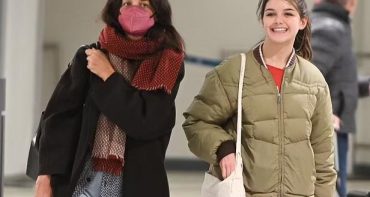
x=107, y=125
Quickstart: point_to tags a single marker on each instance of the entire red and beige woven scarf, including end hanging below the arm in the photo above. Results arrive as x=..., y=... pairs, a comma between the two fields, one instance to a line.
x=157, y=69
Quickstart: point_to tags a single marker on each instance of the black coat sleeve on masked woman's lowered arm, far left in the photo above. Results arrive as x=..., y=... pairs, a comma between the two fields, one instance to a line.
x=62, y=118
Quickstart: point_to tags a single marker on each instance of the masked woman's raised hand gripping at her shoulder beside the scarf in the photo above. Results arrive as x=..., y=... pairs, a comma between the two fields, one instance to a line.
x=98, y=63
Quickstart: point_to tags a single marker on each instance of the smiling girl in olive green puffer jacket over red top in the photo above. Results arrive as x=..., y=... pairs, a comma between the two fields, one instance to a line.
x=287, y=129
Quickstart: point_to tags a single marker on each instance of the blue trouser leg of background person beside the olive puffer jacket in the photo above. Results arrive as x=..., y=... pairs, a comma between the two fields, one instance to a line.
x=342, y=157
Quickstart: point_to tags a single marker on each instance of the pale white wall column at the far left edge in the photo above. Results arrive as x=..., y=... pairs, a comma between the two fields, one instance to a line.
x=21, y=49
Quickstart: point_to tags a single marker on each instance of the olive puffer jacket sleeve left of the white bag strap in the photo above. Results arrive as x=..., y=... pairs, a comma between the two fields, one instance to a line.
x=207, y=113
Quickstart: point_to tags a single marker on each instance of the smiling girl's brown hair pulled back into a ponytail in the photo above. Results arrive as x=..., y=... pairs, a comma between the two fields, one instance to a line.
x=302, y=43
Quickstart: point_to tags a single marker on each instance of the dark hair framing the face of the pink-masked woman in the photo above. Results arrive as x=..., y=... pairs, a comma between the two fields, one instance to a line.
x=162, y=29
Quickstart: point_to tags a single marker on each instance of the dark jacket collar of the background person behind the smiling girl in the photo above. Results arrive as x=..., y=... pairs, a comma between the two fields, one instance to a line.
x=333, y=9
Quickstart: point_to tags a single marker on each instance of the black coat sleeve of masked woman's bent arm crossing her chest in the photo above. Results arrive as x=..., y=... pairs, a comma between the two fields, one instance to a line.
x=143, y=115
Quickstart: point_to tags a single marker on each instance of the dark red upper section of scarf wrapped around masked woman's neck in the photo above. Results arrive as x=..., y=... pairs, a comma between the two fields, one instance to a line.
x=159, y=68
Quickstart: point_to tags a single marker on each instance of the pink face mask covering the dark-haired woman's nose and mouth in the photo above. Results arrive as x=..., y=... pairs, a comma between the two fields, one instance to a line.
x=135, y=20
